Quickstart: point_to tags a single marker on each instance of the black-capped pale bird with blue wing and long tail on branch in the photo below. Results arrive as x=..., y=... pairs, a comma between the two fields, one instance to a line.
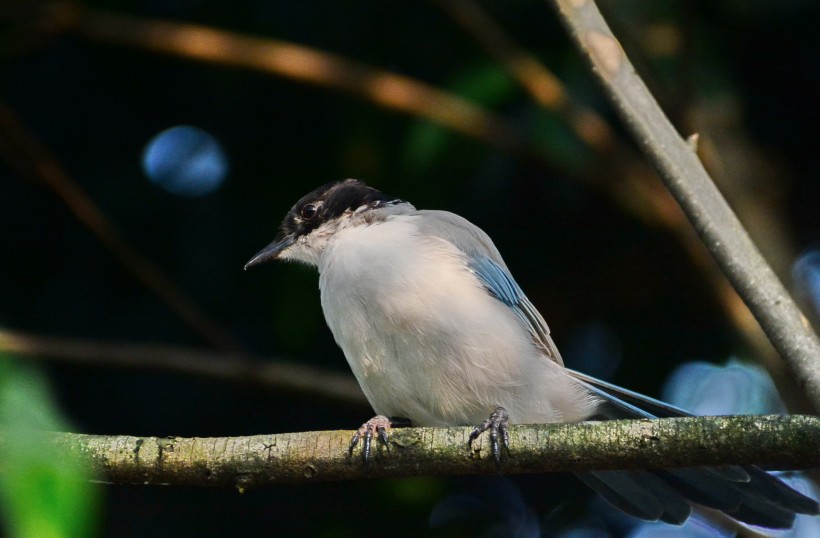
x=438, y=333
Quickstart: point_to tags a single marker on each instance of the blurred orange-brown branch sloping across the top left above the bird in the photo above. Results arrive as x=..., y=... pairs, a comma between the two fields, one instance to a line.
x=305, y=64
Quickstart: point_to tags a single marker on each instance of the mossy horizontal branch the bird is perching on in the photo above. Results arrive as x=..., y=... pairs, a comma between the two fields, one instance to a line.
x=784, y=442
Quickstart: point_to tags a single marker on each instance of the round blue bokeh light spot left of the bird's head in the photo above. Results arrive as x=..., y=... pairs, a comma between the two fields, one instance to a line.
x=185, y=161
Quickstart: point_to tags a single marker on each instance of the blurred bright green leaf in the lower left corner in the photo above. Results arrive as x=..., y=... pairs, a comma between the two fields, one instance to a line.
x=45, y=492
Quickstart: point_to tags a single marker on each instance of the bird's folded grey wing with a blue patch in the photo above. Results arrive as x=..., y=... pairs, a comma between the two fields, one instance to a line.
x=485, y=262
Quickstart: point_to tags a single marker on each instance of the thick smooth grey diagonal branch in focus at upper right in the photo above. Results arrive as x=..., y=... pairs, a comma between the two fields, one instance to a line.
x=691, y=186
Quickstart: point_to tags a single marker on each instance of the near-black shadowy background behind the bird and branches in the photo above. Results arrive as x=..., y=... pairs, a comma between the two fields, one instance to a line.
x=623, y=298
